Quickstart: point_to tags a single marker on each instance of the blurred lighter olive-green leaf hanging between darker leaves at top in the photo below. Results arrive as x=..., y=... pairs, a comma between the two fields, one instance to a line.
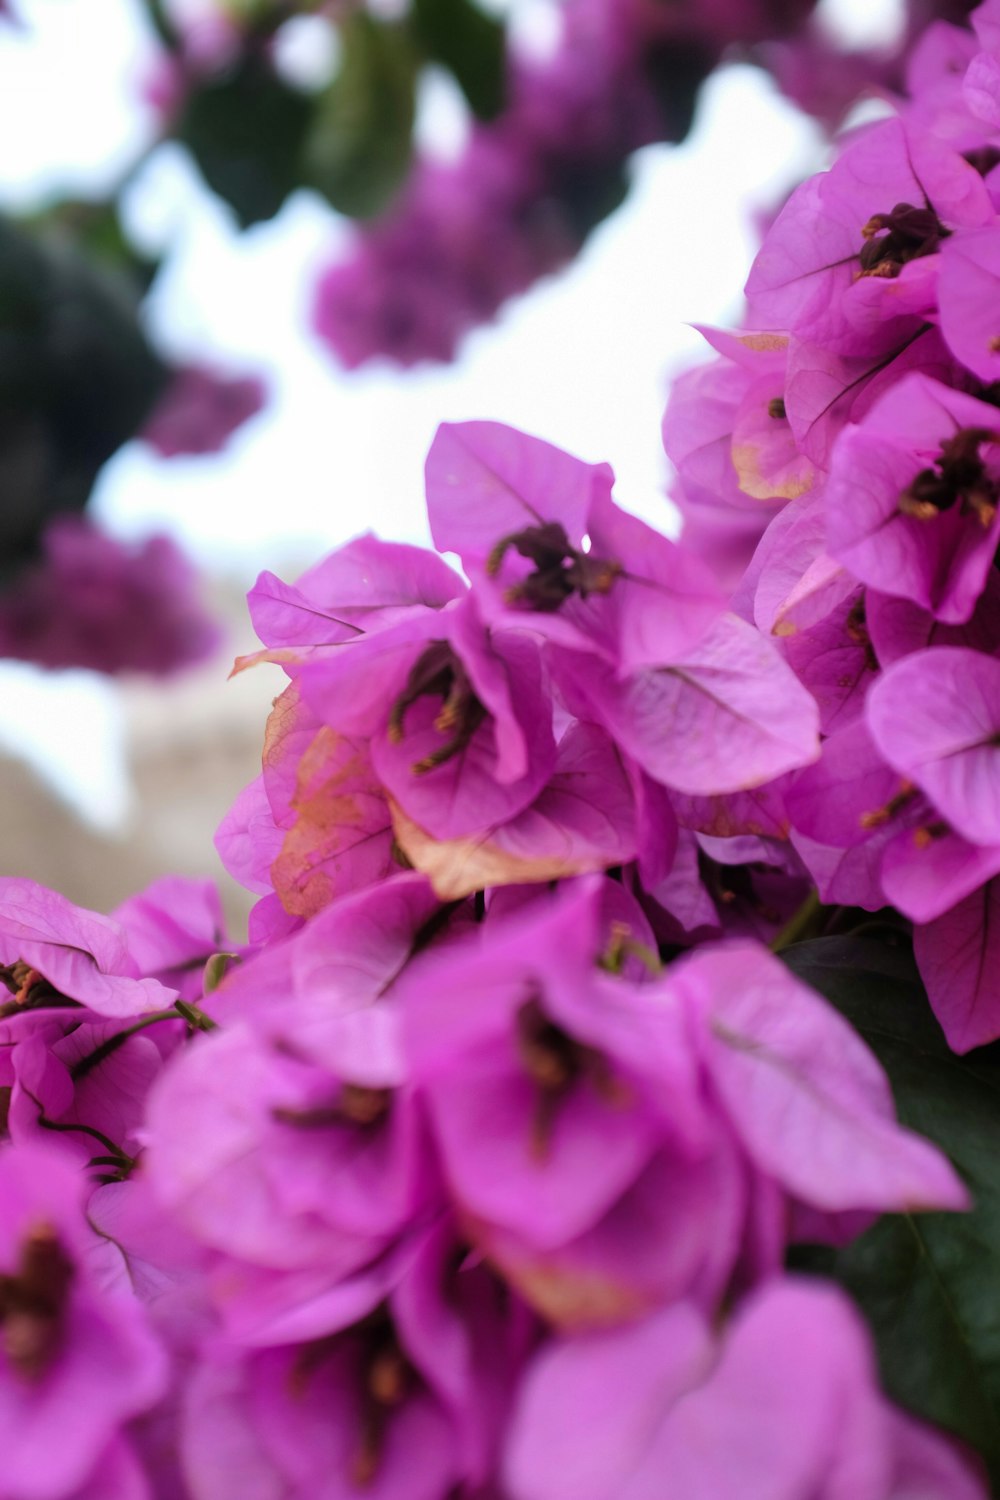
x=359, y=148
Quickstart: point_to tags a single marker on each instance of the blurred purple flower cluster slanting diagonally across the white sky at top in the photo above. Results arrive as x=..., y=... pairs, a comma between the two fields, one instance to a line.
x=530, y=187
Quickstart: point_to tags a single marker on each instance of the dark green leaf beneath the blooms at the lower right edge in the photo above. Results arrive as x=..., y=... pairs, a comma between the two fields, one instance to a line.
x=929, y=1285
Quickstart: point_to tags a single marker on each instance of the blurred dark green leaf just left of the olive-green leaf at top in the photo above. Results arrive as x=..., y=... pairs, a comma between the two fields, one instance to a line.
x=247, y=131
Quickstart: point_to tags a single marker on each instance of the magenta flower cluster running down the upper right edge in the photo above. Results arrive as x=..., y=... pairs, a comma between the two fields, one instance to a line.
x=842, y=463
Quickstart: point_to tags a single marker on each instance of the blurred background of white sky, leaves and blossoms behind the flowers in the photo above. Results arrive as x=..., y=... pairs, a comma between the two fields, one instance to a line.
x=167, y=241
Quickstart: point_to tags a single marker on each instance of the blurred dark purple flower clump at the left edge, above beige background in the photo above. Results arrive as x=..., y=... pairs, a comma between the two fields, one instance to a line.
x=98, y=604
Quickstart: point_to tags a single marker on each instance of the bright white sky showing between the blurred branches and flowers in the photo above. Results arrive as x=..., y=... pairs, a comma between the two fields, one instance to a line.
x=582, y=361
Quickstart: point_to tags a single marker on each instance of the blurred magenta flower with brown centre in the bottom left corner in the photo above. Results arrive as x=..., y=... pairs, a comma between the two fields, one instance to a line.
x=76, y=1363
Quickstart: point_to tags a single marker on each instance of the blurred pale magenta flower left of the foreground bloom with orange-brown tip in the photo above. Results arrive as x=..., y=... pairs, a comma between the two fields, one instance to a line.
x=293, y=1175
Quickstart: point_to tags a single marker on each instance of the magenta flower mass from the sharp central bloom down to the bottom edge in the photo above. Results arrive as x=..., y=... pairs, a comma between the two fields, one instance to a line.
x=478, y=1171
